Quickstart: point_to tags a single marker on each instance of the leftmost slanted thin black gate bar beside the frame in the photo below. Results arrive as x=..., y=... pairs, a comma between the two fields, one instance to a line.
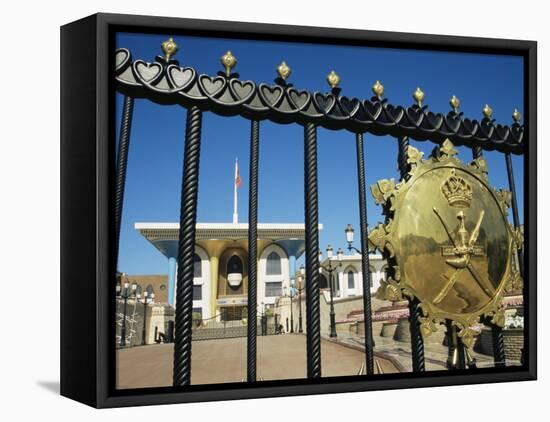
x=122, y=161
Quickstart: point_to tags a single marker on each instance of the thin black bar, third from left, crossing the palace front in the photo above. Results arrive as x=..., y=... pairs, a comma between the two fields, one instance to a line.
x=253, y=250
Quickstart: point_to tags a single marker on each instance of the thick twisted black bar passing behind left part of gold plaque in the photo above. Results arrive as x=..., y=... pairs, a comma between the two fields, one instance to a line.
x=417, y=343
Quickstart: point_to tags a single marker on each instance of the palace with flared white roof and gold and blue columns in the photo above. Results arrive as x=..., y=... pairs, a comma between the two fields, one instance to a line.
x=221, y=263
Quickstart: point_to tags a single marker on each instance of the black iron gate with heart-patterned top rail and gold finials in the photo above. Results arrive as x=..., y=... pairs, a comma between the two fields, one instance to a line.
x=165, y=82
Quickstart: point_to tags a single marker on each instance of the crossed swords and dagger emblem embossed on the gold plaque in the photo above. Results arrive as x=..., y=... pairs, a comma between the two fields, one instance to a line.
x=463, y=249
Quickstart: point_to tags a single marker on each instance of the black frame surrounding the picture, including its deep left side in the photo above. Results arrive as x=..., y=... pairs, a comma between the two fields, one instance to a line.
x=87, y=163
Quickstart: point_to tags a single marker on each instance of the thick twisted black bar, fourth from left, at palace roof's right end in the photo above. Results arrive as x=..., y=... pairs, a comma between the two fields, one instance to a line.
x=312, y=252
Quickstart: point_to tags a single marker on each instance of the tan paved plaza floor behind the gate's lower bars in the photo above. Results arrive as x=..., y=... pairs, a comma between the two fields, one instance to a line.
x=220, y=361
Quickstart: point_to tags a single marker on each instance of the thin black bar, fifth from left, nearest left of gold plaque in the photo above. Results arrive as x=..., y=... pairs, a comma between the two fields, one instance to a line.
x=365, y=264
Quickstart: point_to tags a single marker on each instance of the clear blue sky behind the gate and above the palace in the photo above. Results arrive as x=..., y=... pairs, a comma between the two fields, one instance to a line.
x=156, y=152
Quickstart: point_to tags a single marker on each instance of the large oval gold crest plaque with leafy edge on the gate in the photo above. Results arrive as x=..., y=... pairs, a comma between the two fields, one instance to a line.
x=447, y=241
